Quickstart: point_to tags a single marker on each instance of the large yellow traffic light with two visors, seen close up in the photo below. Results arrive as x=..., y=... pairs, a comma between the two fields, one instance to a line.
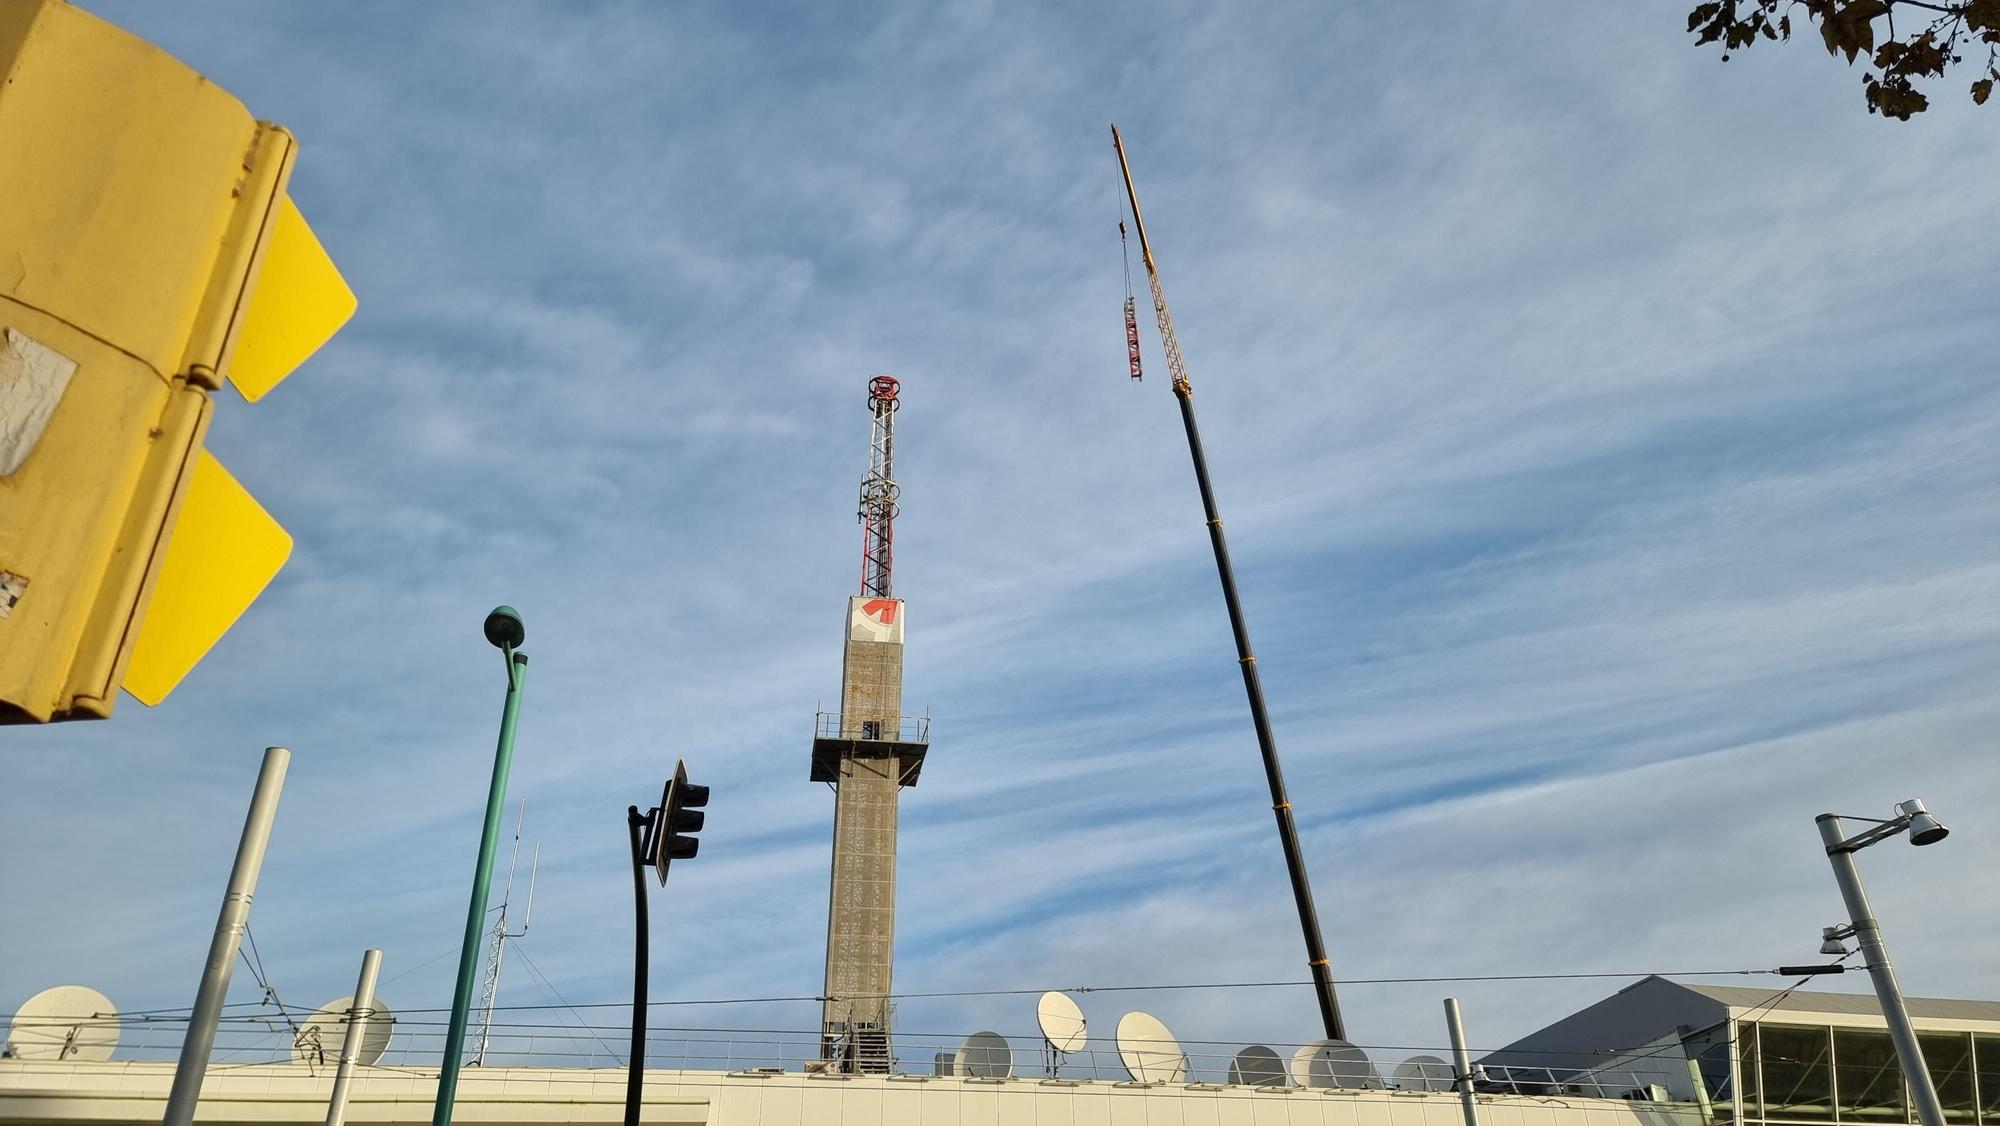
x=149, y=253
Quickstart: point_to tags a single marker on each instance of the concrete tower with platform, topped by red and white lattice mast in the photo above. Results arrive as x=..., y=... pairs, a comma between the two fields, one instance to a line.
x=869, y=751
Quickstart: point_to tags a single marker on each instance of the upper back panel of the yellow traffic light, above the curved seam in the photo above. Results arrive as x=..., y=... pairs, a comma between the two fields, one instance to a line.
x=119, y=173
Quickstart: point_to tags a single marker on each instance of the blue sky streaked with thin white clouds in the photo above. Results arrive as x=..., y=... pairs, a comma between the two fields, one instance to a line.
x=1605, y=435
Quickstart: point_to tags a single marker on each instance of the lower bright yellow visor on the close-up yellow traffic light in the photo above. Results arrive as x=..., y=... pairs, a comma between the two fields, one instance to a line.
x=223, y=555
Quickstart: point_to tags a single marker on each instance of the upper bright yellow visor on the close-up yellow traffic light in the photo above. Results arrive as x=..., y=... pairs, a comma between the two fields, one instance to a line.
x=299, y=303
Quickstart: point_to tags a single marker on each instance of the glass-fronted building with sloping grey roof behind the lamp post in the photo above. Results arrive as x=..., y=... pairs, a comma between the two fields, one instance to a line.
x=1761, y=1055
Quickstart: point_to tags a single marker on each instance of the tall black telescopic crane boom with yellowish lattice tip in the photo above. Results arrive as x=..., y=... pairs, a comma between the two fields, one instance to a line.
x=1295, y=861
